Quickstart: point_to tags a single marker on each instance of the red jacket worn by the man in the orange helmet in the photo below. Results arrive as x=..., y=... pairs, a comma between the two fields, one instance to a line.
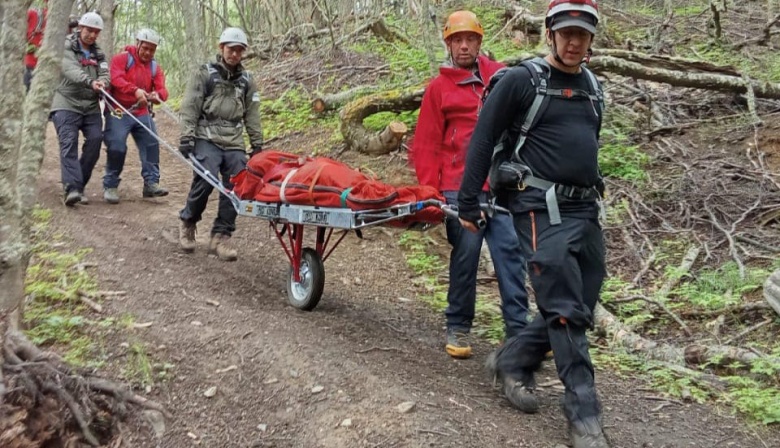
x=447, y=118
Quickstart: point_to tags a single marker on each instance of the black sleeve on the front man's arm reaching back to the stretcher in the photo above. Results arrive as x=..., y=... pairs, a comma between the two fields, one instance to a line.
x=505, y=104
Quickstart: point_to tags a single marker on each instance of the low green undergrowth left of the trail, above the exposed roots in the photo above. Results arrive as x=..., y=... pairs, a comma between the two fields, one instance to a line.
x=56, y=314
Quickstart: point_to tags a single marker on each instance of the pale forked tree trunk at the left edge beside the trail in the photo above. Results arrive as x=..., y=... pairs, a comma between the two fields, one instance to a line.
x=20, y=159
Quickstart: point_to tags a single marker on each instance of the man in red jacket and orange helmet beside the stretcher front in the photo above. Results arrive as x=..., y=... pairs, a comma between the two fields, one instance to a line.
x=447, y=118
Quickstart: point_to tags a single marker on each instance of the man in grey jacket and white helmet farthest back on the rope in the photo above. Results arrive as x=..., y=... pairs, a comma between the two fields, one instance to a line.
x=76, y=106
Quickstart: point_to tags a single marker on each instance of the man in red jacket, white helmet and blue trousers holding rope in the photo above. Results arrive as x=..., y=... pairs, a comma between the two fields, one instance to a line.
x=137, y=82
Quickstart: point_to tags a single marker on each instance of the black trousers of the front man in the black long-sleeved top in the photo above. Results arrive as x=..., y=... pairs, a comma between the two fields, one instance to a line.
x=566, y=266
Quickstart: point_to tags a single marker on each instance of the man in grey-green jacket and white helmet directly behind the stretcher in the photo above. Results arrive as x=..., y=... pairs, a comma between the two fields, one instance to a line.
x=221, y=100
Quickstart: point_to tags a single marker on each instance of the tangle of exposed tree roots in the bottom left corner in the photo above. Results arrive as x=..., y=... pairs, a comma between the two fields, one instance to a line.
x=46, y=401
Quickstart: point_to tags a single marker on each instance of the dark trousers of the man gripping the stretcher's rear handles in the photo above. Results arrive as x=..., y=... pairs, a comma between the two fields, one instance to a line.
x=217, y=161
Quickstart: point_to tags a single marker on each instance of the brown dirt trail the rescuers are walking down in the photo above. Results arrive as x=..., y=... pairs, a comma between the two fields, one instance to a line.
x=366, y=345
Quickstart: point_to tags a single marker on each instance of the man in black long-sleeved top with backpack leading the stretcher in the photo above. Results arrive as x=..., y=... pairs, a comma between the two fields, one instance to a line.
x=556, y=220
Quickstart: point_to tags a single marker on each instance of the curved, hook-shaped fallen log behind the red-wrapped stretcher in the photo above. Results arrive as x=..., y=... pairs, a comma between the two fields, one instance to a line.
x=357, y=137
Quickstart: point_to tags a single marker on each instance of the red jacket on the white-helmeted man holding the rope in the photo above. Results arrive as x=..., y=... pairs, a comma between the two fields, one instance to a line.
x=124, y=81
